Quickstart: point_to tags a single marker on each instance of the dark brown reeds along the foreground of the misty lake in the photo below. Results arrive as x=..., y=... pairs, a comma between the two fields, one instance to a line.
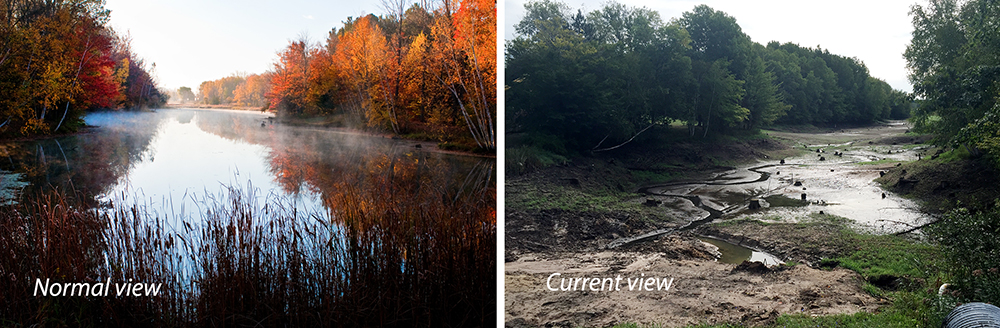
x=387, y=252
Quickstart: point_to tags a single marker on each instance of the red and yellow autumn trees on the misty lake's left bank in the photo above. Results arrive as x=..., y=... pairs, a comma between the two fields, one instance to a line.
x=59, y=59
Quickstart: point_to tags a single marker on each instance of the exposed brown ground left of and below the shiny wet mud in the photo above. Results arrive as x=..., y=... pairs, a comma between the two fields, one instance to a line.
x=544, y=239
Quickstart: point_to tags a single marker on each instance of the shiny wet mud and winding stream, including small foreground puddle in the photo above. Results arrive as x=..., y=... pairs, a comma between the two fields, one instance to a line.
x=837, y=185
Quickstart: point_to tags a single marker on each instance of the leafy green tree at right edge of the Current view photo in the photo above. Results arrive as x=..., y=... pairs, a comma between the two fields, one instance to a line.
x=955, y=67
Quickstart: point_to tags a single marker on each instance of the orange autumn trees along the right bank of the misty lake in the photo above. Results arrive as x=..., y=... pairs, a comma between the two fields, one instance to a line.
x=412, y=70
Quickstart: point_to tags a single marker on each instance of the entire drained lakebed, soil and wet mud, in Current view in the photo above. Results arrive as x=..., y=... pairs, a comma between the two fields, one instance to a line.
x=563, y=218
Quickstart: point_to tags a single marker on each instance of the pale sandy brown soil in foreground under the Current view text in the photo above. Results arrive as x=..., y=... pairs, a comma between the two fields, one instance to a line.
x=702, y=290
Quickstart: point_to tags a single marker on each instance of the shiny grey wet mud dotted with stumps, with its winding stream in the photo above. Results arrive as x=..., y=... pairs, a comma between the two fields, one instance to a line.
x=832, y=184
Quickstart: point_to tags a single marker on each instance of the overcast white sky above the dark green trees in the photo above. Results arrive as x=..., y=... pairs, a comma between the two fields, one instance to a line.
x=875, y=31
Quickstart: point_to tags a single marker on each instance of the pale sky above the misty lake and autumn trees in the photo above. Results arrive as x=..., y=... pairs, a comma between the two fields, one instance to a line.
x=192, y=41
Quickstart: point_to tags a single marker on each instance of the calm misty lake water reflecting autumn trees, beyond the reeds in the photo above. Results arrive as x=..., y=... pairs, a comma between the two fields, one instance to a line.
x=173, y=159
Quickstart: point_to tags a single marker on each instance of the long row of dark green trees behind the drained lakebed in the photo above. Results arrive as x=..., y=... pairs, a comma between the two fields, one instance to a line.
x=590, y=81
